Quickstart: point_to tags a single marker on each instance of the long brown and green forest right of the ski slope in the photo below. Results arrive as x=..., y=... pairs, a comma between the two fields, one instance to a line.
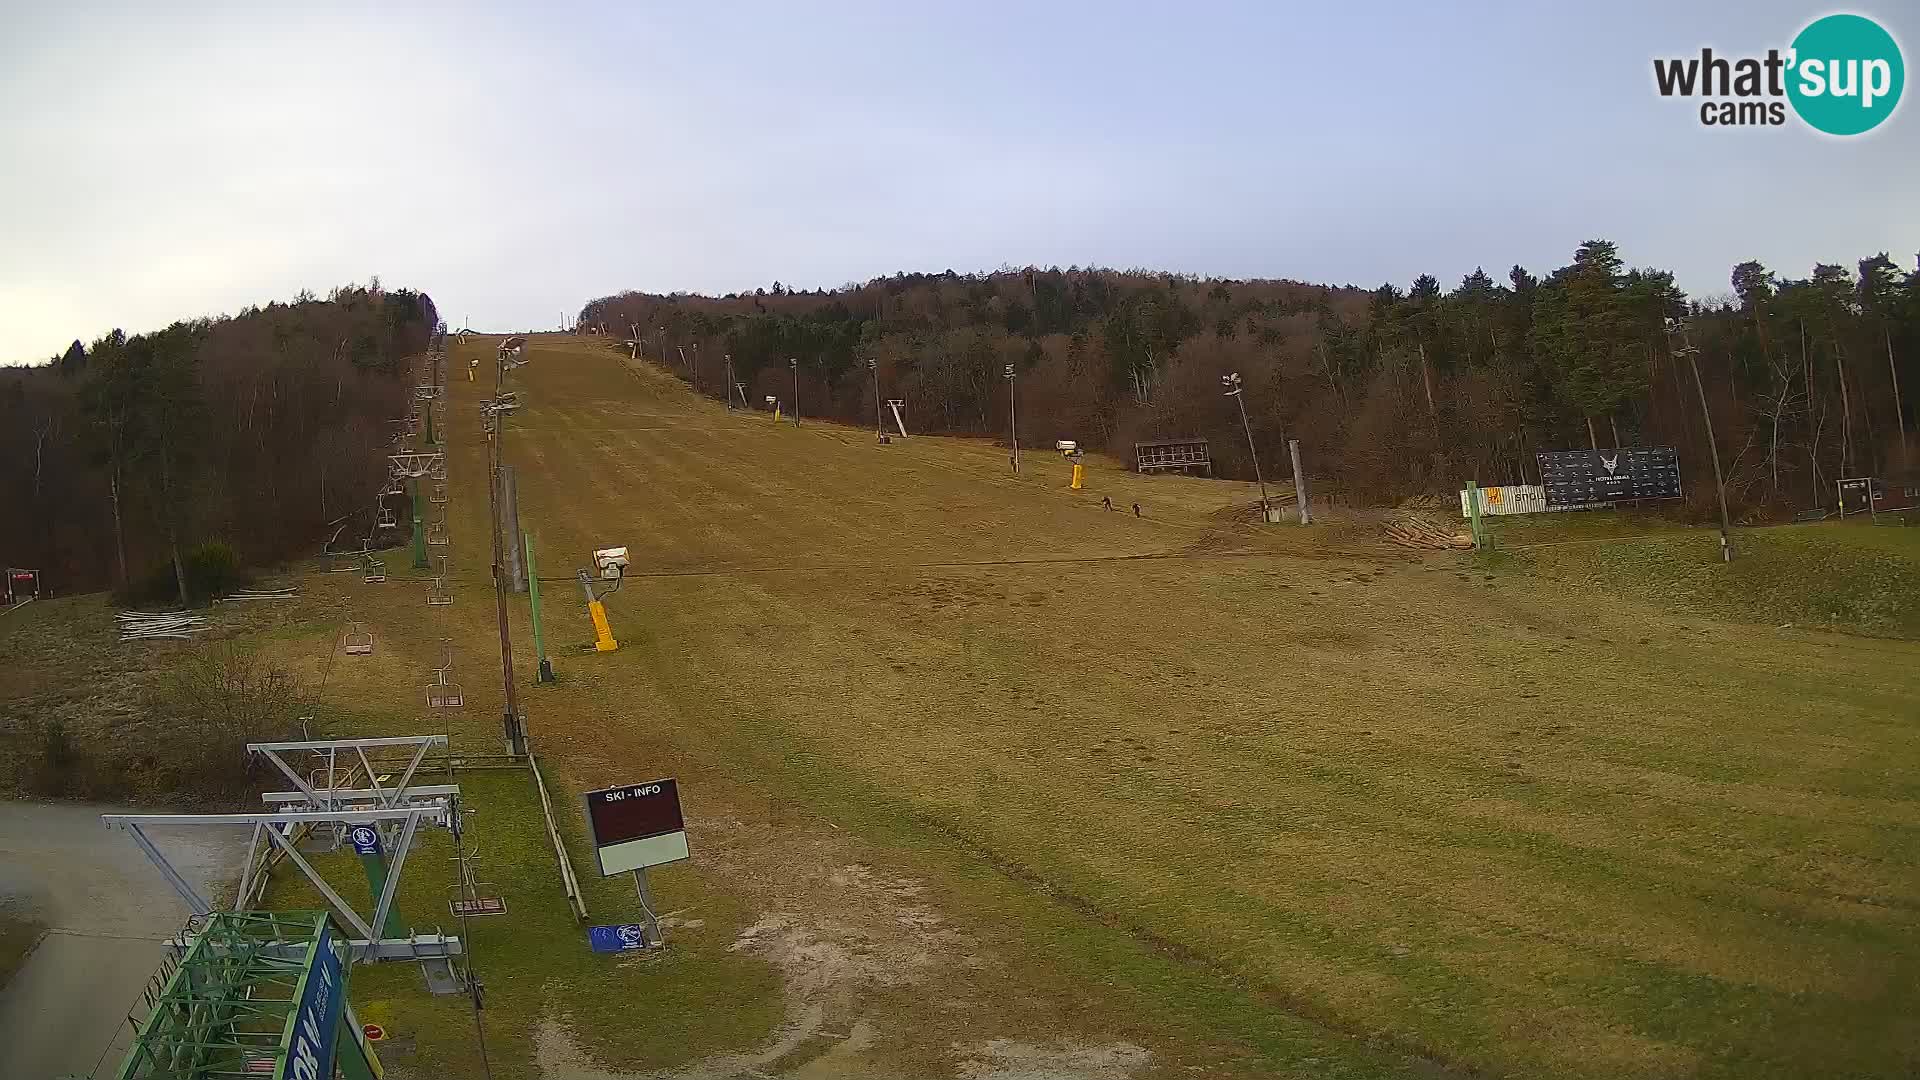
x=1391, y=391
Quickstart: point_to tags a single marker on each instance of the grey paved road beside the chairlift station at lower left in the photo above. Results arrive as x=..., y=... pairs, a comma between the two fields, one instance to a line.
x=107, y=914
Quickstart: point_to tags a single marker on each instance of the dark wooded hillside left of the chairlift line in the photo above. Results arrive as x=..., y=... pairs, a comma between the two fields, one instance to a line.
x=122, y=456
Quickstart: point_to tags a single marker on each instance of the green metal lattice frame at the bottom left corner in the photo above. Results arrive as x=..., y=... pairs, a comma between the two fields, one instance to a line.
x=228, y=1008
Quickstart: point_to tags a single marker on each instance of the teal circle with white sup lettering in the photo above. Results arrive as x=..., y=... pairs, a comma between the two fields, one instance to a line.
x=1846, y=76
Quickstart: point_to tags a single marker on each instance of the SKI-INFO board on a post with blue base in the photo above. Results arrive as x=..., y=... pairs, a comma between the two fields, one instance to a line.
x=636, y=827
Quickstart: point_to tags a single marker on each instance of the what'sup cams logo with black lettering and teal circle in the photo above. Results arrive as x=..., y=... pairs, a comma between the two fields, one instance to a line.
x=1842, y=76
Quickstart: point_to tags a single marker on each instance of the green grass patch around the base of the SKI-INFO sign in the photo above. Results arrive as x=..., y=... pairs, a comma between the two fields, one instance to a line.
x=642, y=1012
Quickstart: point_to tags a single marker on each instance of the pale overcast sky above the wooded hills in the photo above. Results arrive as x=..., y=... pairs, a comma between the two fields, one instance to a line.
x=521, y=162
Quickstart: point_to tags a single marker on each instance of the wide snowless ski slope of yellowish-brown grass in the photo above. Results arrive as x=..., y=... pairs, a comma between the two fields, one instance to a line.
x=1260, y=802
